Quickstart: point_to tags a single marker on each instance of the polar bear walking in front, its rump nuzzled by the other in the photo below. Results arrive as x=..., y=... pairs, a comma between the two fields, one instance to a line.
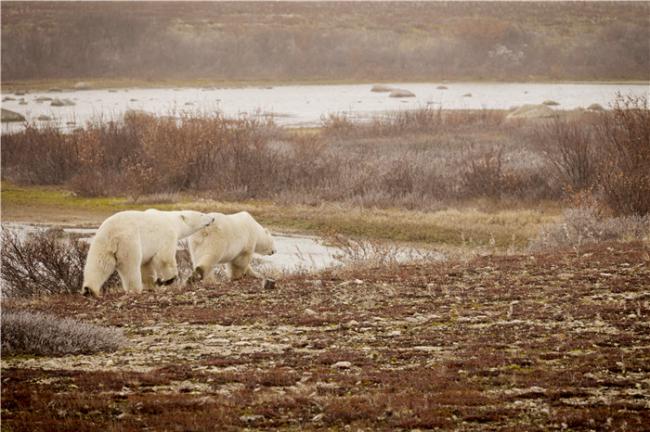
x=230, y=239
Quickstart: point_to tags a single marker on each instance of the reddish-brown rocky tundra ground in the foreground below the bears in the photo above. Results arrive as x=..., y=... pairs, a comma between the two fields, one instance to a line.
x=557, y=341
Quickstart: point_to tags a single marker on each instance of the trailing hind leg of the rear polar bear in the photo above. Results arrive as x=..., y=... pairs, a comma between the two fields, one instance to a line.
x=100, y=264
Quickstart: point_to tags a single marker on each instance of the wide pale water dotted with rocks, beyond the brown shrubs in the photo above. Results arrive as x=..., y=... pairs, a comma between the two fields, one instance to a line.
x=303, y=105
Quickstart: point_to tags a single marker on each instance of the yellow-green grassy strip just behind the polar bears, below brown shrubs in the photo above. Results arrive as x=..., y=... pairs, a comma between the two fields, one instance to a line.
x=478, y=223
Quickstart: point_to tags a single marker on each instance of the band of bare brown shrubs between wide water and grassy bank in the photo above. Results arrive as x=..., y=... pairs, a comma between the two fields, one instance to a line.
x=412, y=159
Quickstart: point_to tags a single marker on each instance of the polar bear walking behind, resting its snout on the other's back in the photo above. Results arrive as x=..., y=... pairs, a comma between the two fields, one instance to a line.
x=141, y=246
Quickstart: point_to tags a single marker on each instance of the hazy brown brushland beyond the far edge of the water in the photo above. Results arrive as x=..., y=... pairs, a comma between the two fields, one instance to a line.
x=326, y=41
